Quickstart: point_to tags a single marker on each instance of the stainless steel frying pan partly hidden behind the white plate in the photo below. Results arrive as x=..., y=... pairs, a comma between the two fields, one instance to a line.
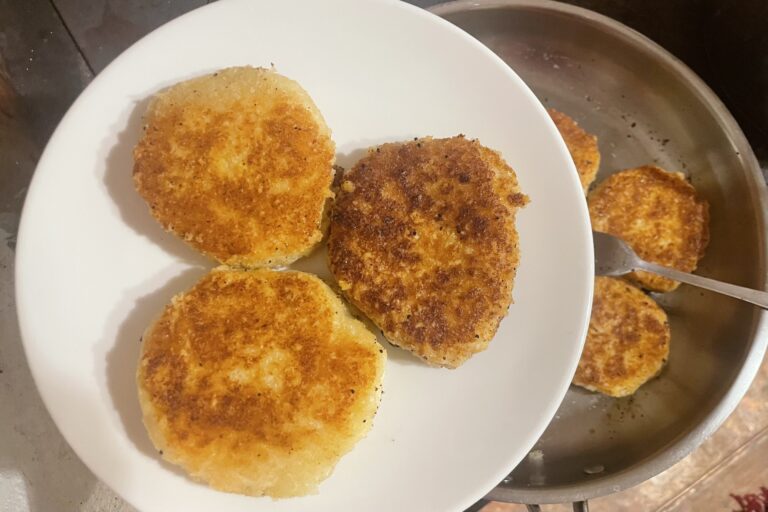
x=646, y=107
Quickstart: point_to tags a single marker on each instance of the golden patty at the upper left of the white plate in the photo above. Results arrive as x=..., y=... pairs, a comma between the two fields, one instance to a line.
x=238, y=163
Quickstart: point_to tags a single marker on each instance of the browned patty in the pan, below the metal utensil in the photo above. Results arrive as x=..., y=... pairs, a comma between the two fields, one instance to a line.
x=628, y=340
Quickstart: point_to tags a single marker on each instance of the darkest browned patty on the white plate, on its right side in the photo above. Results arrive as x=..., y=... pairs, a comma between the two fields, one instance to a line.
x=423, y=241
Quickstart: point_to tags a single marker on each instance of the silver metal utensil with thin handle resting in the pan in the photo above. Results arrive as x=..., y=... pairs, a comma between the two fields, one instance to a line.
x=613, y=257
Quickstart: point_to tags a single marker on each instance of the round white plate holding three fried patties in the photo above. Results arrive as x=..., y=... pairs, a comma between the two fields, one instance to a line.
x=93, y=267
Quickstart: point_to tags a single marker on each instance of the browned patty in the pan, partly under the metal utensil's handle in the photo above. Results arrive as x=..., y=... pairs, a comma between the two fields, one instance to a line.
x=658, y=214
